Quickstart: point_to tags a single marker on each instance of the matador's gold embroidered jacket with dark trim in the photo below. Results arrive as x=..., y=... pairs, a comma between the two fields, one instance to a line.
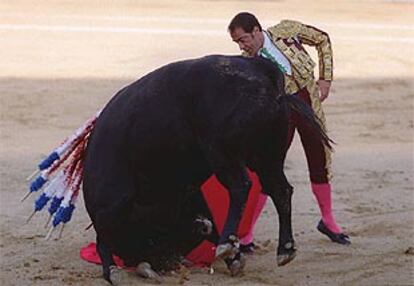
x=289, y=37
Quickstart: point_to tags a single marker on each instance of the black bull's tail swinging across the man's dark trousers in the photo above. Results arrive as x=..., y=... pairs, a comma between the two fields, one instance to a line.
x=296, y=104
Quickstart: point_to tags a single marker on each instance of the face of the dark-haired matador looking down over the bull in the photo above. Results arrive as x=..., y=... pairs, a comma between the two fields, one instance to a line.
x=251, y=42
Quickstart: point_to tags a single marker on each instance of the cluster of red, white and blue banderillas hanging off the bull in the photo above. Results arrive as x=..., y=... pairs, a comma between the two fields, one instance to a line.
x=61, y=177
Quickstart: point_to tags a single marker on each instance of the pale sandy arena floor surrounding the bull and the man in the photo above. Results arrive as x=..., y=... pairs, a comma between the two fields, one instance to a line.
x=61, y=62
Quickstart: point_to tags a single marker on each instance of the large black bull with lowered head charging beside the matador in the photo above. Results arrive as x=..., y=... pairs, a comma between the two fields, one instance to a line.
x=161, y=137
